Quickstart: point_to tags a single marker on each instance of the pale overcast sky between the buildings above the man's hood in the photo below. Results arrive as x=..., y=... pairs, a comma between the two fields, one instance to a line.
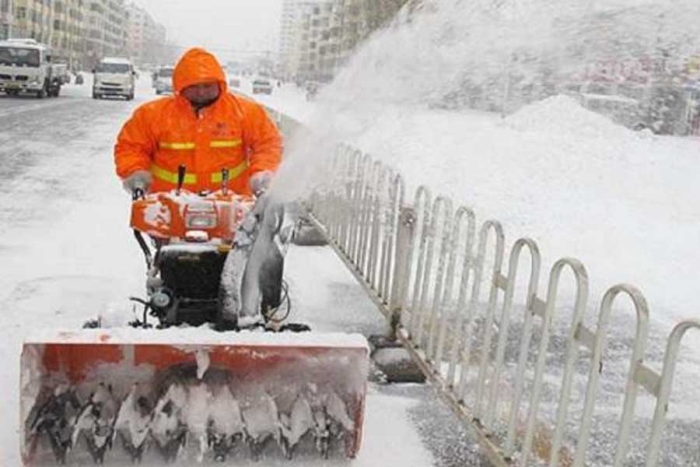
x=242, y=26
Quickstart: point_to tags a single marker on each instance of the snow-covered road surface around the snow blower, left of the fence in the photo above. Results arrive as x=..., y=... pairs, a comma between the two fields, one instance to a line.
x=67, y=255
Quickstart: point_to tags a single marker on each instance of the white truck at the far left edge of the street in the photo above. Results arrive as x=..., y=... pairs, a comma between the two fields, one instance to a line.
x=25, y=66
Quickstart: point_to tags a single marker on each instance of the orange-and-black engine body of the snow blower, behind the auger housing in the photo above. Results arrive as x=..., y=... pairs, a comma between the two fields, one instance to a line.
x=214, y=258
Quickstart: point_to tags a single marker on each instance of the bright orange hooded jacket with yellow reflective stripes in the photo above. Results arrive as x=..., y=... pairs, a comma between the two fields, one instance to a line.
x=233, y=133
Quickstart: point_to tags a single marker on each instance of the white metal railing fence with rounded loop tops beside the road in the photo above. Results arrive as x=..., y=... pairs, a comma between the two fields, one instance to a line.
x=528, y=387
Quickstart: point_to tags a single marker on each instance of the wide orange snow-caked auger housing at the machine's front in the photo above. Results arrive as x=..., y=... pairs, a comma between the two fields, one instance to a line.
x=101, y=397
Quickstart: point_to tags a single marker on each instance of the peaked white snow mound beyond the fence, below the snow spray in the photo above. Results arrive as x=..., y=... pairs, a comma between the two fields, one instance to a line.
x=563, y=115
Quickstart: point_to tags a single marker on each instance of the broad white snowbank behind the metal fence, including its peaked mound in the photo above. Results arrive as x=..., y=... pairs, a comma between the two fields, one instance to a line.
x=577, y=183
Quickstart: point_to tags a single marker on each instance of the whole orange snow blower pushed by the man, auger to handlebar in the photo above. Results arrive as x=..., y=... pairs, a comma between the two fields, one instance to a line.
x=174, y=389
